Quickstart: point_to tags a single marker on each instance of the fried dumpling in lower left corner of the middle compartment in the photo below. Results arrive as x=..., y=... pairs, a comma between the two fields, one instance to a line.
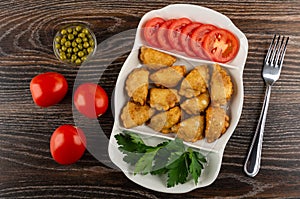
x=135, y=114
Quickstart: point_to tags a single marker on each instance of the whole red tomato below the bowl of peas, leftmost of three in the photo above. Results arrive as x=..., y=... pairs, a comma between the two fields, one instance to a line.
x=48, y=88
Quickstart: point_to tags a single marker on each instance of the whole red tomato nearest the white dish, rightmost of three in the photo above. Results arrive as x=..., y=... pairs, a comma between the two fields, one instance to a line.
x=91, y=100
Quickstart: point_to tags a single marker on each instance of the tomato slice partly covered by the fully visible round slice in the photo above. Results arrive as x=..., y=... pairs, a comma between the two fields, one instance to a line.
x=197, y=39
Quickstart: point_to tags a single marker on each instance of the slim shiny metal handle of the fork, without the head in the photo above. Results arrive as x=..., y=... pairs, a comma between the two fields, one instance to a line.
x=252, y=163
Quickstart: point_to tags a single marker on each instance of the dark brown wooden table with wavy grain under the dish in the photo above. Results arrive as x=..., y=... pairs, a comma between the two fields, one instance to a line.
x=26, y=167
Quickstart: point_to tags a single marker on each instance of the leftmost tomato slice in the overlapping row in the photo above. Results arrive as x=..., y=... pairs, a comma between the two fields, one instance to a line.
x=150, y=30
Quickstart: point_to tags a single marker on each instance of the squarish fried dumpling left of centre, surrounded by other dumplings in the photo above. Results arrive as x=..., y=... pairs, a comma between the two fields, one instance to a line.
x=163, y=98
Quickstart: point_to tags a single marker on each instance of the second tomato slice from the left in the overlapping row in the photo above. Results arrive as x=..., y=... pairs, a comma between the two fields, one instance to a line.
x=162, y=34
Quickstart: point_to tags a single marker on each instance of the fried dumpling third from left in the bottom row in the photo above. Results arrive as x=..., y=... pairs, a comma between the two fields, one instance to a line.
x=191, y=129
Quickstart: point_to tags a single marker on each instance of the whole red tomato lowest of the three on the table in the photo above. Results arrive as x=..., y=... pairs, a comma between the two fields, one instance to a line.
x=67, y=144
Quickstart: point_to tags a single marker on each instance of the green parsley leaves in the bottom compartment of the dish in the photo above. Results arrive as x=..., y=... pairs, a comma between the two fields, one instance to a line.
x=171, y=158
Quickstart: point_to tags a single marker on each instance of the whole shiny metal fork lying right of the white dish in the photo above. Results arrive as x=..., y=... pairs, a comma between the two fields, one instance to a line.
x=271, y=72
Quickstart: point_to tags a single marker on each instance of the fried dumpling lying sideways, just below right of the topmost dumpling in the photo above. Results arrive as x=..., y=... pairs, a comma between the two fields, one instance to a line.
x=169, y=76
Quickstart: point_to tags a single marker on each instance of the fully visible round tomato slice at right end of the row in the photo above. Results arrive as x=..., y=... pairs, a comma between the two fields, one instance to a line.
x=221, y=45
